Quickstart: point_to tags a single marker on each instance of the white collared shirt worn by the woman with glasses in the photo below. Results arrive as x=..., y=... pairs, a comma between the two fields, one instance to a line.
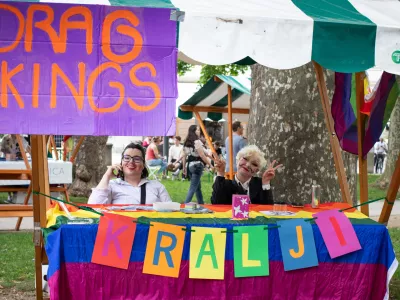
x=121, y=192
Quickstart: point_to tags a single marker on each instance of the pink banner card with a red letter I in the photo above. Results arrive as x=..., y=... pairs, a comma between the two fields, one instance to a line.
x=338, y=232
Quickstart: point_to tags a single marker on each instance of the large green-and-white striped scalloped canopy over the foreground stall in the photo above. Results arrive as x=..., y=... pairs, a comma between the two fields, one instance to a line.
x=341, y=35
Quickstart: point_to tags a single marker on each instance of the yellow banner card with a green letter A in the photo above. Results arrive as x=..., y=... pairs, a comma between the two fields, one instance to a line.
x=207, y=253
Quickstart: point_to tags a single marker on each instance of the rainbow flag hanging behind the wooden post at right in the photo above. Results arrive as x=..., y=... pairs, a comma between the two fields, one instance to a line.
x=377, y=106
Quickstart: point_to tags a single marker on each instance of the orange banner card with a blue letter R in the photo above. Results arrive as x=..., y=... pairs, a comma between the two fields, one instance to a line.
x=164, y=250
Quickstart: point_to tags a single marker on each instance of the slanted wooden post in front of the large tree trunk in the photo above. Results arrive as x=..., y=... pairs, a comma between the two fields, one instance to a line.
x=337, y=155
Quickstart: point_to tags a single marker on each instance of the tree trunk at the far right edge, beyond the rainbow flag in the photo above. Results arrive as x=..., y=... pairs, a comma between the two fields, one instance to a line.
x=394, y=145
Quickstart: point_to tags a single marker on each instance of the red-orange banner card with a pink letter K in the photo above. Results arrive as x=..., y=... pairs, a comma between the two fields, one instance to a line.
x=114, y=241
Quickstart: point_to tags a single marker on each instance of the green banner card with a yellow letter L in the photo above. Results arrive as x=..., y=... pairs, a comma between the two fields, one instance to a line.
x=250, y=251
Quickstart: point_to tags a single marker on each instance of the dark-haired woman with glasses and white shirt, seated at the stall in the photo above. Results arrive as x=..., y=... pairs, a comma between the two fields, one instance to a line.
x=127, y=183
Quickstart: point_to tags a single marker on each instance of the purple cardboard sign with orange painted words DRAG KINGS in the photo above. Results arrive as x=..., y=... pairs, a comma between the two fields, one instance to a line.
x=87, y=70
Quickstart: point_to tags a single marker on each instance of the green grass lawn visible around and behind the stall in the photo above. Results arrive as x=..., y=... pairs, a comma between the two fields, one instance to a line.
x=17, y=251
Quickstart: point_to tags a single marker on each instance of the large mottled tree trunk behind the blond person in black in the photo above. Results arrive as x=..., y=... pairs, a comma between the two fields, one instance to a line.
x=287, y=123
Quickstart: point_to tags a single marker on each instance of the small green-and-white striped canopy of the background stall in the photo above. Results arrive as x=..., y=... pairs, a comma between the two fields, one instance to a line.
x=214, y=94
